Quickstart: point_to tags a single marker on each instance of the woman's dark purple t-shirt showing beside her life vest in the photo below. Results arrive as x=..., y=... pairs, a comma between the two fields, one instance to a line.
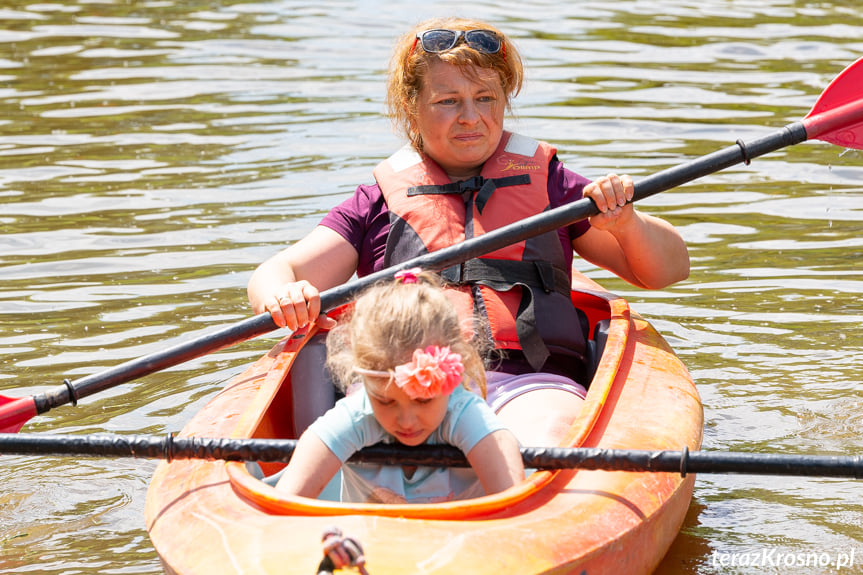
x=363, y=219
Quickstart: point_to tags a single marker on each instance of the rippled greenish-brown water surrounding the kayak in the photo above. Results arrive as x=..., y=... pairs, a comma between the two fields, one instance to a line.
x=152, y=153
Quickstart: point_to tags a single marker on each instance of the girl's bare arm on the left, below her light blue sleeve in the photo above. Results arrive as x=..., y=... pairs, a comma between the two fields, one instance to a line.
x=312, y=466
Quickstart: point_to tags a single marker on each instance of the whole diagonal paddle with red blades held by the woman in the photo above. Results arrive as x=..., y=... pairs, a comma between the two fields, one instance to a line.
x=837, y=117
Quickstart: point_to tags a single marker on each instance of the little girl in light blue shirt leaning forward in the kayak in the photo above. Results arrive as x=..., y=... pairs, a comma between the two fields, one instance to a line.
x=403, y=344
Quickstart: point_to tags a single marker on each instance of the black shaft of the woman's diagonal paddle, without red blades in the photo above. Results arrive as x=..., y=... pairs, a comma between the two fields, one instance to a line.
x=71, y=392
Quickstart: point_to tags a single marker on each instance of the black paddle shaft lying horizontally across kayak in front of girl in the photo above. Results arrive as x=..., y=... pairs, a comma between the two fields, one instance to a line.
x=210, y=448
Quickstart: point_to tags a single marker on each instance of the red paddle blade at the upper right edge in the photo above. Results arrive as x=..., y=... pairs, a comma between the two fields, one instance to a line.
x=837, y=116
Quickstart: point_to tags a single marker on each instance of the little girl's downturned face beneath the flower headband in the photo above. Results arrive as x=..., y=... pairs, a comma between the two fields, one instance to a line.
x=410, y=421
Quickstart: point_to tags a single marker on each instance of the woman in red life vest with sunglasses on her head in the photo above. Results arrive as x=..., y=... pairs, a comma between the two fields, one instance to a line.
x=451, y=81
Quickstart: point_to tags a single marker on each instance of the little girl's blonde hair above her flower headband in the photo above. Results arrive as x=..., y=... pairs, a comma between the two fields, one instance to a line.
x=389, y=321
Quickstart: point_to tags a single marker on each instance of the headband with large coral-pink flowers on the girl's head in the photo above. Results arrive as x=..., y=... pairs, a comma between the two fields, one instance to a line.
x=431, y=372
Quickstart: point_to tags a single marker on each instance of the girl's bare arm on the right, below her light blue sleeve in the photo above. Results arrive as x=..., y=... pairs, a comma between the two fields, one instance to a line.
x=496, y=459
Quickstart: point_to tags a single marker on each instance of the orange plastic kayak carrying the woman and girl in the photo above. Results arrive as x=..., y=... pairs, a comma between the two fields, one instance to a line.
x=218, y=517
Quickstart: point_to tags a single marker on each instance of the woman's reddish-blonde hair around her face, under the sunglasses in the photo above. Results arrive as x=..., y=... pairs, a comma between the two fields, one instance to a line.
x=410, y=66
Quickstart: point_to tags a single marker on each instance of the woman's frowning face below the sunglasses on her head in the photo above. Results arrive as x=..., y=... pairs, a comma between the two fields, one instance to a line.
x=460, y=118
